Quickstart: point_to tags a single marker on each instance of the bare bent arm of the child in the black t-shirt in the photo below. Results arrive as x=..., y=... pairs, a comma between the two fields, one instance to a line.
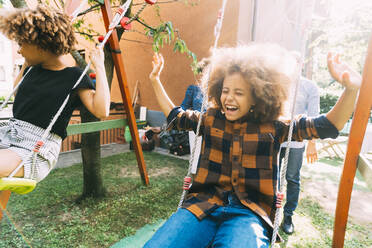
x=97, y=101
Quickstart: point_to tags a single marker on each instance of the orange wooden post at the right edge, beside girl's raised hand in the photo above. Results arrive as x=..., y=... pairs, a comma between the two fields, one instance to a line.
x=357, y=131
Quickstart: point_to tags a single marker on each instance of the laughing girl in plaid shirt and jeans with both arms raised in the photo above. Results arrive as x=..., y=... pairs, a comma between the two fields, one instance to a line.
x=231, y=202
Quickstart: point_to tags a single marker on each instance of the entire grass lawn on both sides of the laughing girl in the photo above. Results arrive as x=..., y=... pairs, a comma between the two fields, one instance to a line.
x=49, y=216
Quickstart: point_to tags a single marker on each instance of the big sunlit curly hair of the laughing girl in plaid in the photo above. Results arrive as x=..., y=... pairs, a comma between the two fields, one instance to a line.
x=268, y=68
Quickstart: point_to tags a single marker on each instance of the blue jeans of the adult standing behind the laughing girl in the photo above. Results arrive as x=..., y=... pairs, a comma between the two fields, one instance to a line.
x=293, y=178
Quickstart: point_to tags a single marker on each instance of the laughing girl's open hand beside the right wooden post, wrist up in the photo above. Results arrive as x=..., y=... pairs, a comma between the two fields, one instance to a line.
x=343, y=73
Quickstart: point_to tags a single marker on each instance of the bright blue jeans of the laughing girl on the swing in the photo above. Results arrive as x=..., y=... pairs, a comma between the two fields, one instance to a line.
x=232, y=225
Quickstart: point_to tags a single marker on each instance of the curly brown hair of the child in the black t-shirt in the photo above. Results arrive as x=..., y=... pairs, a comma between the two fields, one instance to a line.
x=47, y=28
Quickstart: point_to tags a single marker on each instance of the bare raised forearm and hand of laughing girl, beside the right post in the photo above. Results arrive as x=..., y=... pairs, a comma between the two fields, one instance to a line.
x=351, y=80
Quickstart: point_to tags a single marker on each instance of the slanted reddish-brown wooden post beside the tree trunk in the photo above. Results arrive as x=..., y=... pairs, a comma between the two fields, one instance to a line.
x=123, y=84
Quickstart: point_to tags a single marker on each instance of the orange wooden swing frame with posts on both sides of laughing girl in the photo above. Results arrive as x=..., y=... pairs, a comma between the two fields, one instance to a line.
x=357, y=131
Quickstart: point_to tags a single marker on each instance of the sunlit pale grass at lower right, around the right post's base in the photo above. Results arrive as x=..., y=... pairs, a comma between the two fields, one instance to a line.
x=319, y=231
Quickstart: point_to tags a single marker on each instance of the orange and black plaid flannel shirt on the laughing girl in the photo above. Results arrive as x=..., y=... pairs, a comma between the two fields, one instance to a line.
x=241, y=157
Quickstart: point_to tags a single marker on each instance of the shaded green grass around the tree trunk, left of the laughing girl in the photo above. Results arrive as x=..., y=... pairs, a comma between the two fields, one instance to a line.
x=49, y=216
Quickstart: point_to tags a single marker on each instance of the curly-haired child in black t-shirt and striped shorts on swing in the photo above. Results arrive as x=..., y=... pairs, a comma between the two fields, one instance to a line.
x=44, y=35
